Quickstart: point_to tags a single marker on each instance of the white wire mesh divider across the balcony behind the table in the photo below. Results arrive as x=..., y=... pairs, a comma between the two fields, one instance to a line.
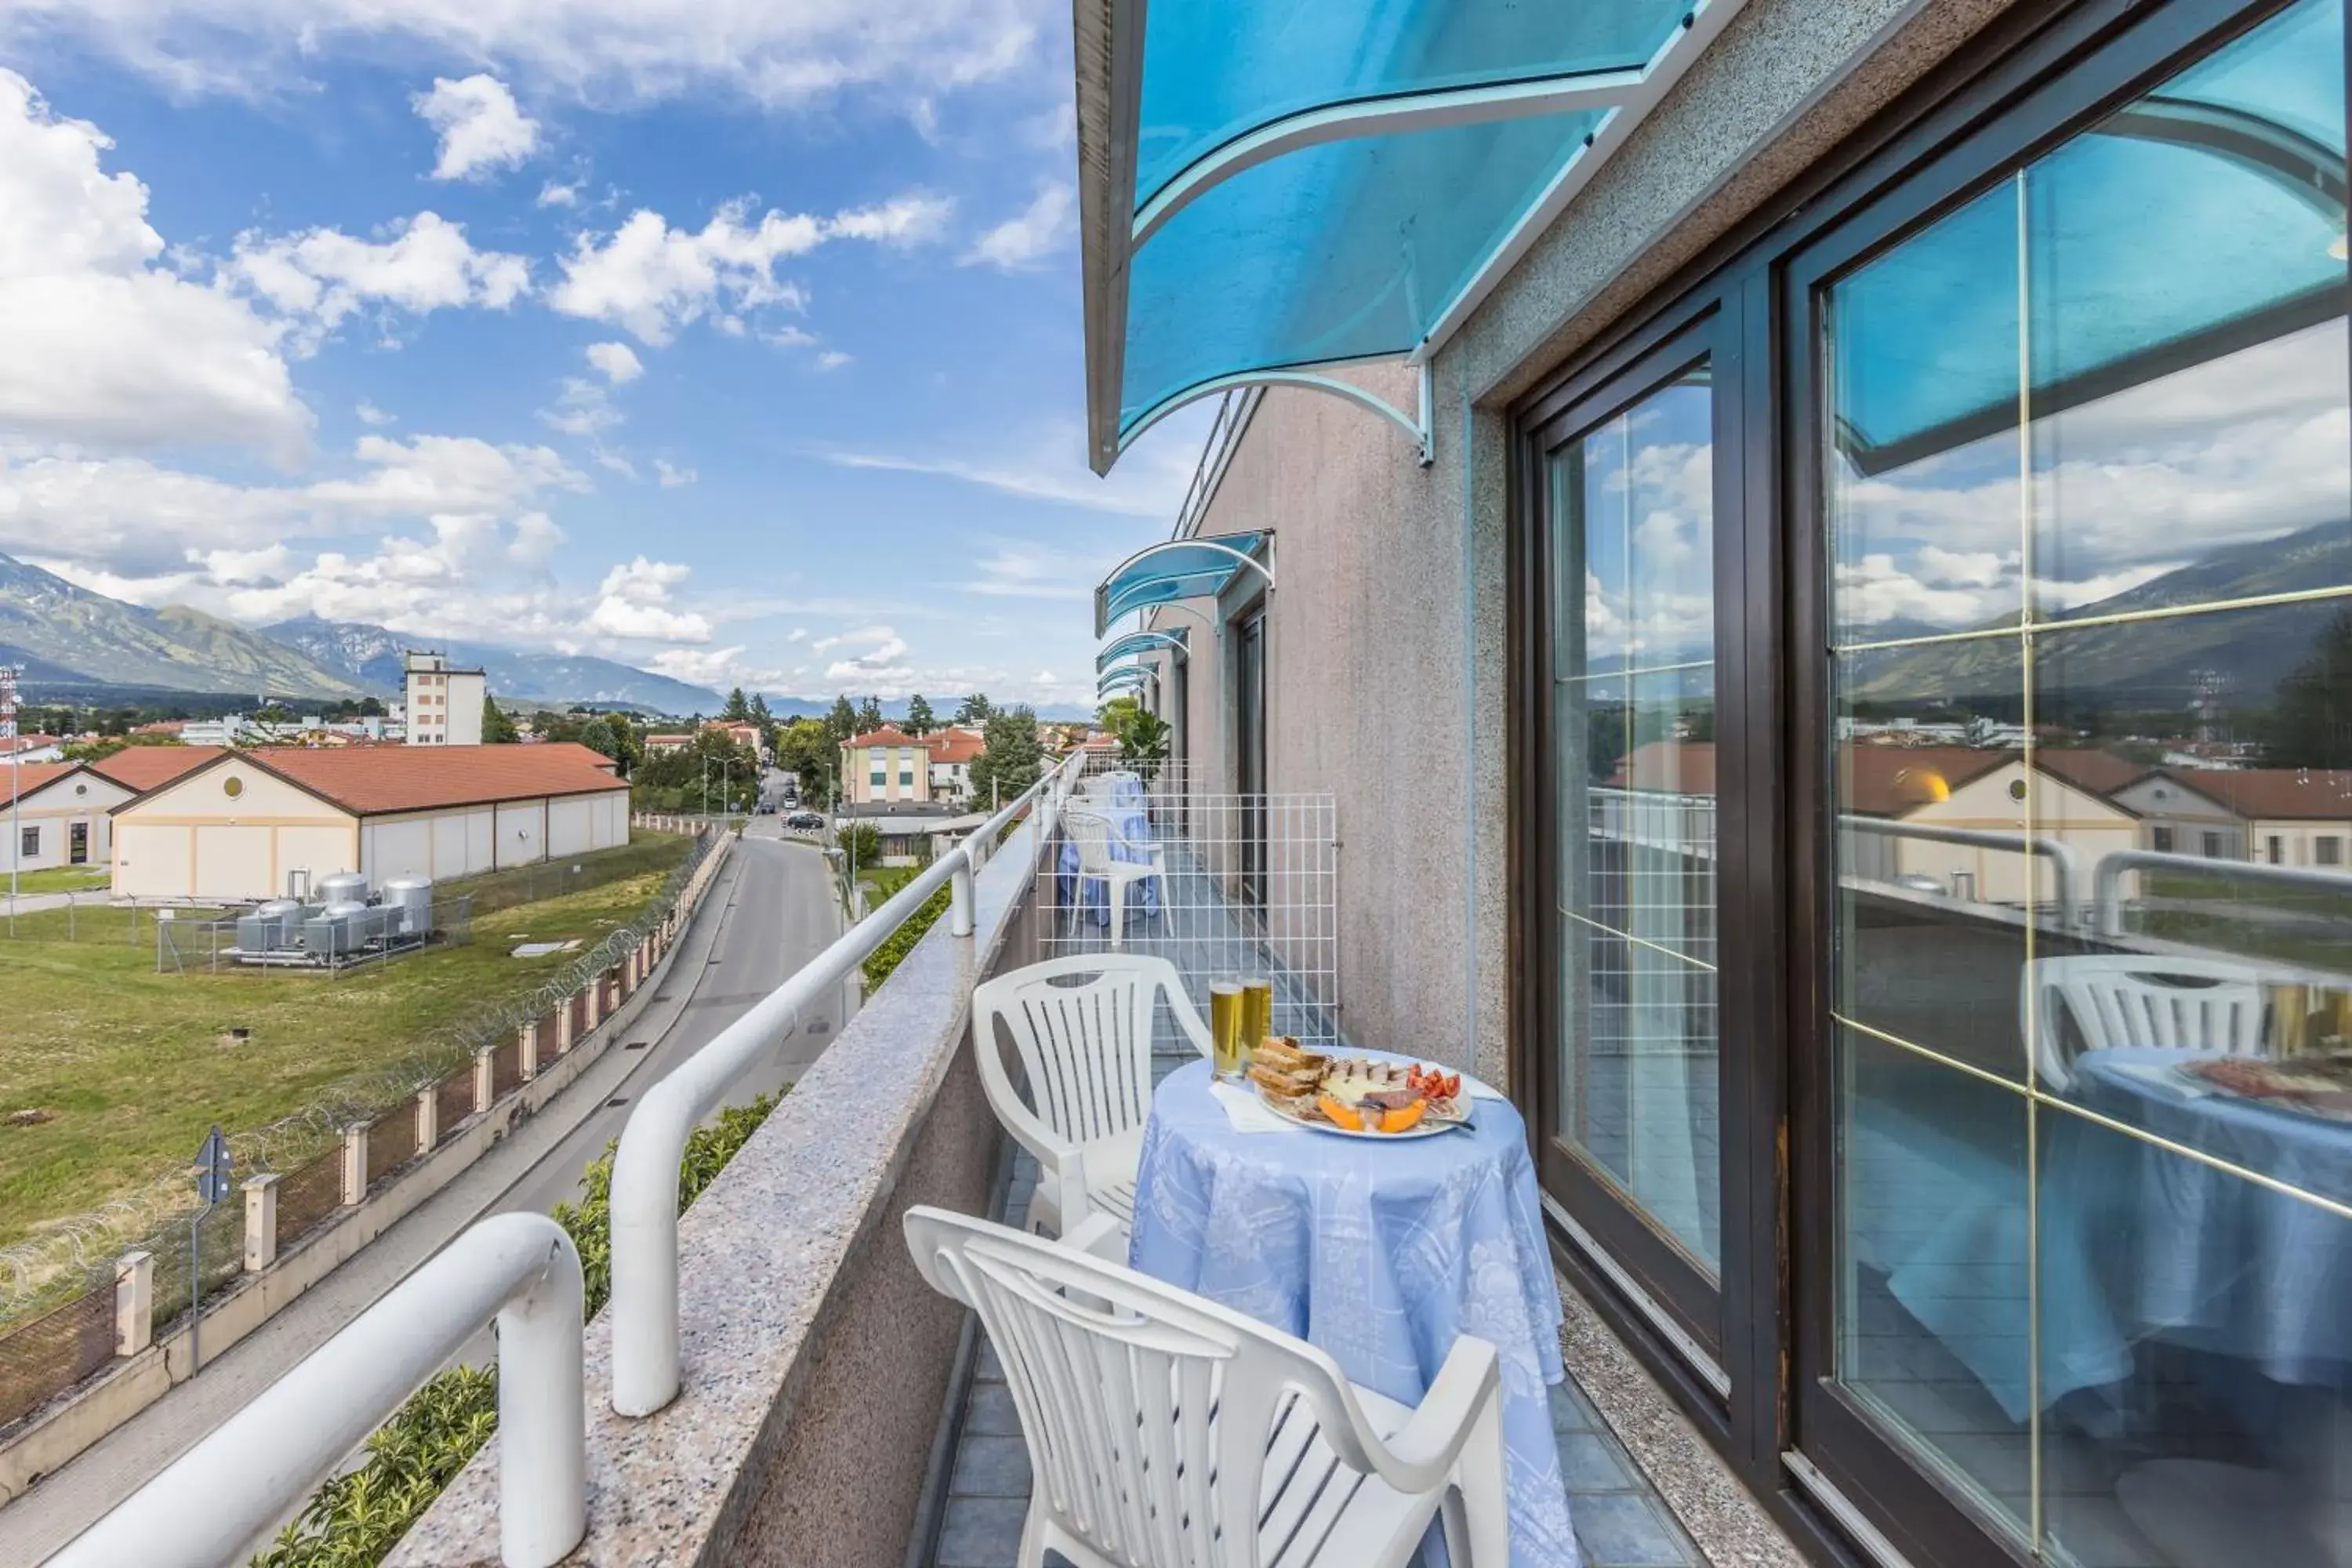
x=1222, y=885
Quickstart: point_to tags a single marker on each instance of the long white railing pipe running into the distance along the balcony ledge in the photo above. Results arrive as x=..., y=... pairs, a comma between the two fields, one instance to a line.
x=655, y=1139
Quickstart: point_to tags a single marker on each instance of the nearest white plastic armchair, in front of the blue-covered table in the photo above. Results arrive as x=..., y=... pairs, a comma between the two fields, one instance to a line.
x=1172, y=1433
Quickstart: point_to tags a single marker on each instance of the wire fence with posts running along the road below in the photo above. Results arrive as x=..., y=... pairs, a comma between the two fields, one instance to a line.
x=58, y=1294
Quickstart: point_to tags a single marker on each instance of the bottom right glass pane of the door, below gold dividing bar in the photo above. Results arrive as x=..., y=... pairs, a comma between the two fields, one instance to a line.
x=2196, y=1360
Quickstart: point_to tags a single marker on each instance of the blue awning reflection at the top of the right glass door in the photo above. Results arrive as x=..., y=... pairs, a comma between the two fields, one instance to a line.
x=2198, y=220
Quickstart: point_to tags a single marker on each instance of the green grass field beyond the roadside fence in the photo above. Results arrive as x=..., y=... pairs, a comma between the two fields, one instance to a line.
x=135, y=1066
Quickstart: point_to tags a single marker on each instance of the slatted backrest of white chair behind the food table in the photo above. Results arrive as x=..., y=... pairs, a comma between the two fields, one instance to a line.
x=1085, y=1050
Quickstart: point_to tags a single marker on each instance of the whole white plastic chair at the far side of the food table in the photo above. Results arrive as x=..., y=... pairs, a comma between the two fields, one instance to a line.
x=1088, y=1057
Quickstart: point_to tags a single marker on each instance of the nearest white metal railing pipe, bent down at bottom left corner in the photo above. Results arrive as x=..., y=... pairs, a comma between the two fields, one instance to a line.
x=213, y=1503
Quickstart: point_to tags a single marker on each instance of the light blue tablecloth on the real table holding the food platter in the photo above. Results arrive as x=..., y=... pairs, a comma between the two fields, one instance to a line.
x=1377, y=1254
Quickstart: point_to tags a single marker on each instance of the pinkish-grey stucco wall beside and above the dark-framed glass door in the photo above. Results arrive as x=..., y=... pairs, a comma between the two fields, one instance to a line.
x=1389, y=626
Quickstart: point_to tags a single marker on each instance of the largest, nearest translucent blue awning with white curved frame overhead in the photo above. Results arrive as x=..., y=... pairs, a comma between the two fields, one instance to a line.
x=1290, y=185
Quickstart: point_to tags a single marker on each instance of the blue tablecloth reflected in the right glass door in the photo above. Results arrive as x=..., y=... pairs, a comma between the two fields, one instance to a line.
x=2137, y=1242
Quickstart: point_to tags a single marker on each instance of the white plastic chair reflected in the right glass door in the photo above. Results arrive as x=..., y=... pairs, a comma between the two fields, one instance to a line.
x=2127, y=1000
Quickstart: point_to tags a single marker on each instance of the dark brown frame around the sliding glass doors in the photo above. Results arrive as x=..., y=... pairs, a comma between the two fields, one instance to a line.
x=2026, y=83
